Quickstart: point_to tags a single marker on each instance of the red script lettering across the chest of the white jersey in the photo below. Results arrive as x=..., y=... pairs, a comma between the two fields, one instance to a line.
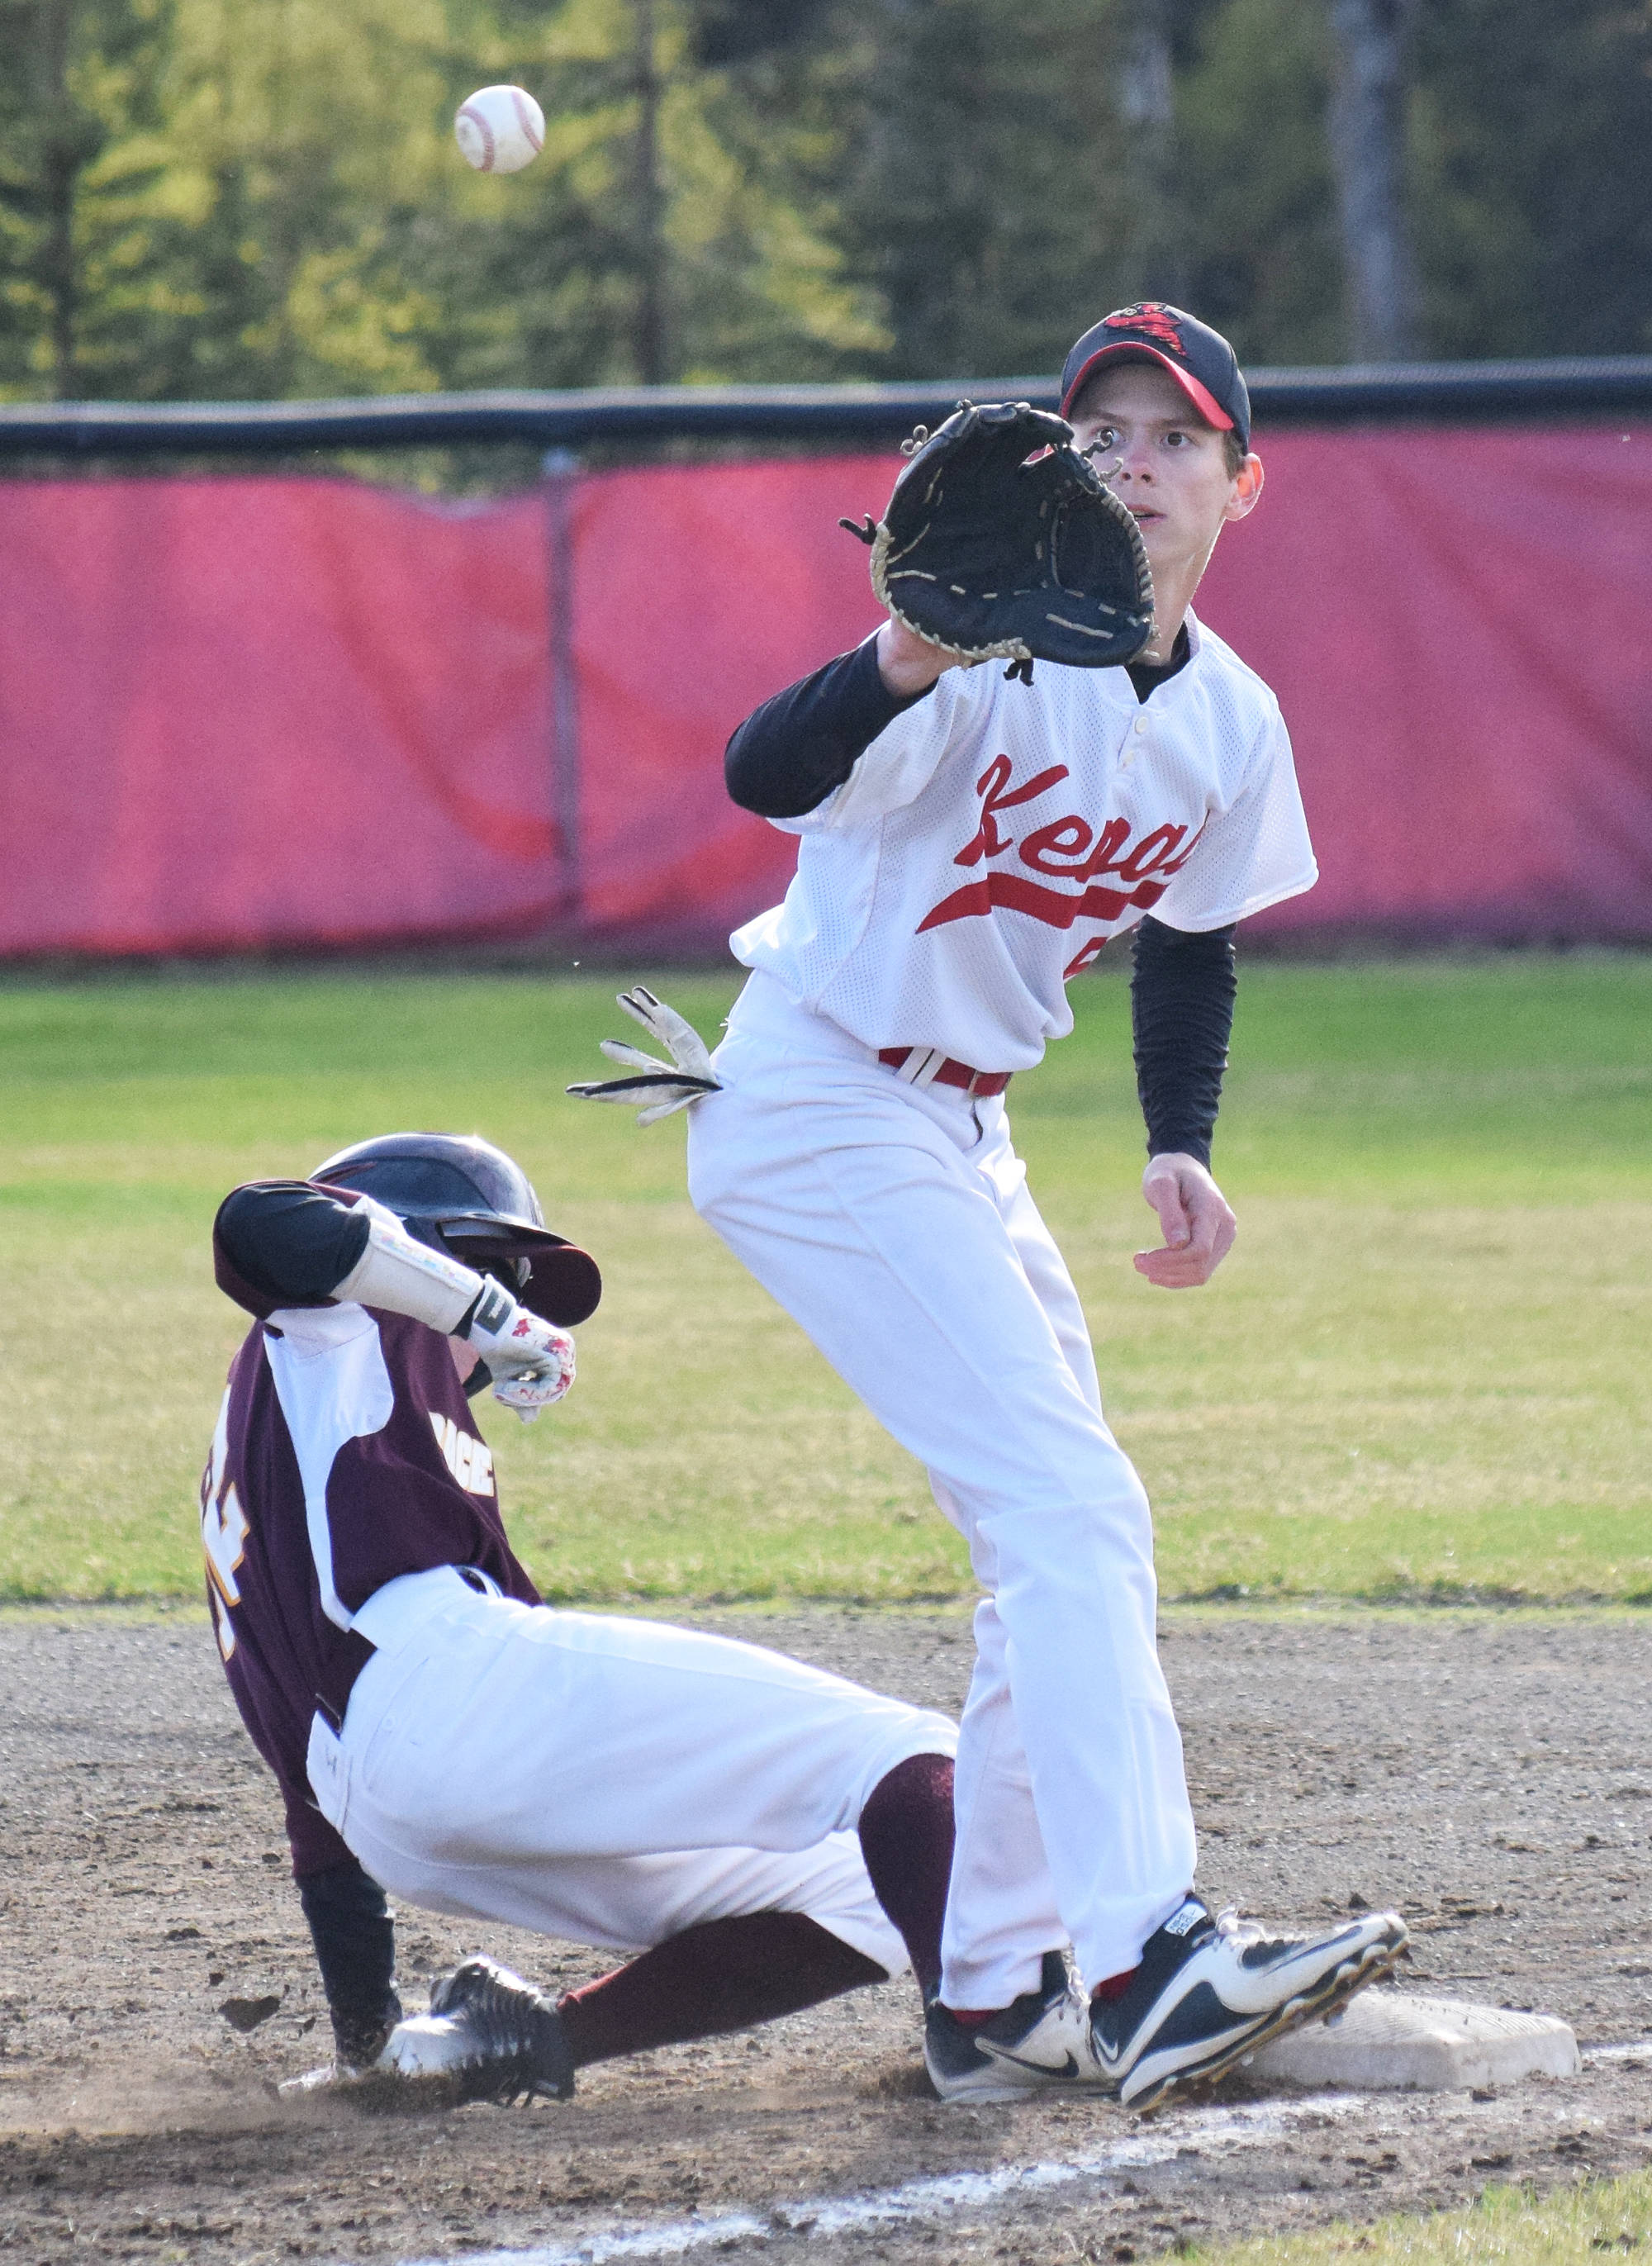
x=1068, y=849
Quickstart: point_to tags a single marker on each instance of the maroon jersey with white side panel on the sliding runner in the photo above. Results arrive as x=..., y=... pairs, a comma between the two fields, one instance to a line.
x=346, y=1456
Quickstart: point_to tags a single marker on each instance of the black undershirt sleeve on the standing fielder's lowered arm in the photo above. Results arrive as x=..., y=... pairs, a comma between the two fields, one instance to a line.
x=1182, y=1014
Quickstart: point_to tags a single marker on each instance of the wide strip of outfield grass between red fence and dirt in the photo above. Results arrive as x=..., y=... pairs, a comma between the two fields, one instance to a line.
x=1422, y=1370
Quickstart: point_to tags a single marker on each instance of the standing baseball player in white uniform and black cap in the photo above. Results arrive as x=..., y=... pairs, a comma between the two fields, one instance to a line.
x=966, y=846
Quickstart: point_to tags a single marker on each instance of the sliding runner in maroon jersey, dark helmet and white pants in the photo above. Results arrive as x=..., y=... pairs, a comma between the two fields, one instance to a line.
x=763, y=1832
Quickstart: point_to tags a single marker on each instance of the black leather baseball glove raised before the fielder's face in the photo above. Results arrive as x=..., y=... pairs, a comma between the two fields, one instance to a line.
x=1000, y=540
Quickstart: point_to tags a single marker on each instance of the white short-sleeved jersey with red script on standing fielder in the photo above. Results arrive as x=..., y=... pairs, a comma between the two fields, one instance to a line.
x=996, y=835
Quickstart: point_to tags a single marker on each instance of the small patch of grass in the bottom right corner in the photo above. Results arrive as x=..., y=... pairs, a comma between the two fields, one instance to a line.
x=1506, y=2229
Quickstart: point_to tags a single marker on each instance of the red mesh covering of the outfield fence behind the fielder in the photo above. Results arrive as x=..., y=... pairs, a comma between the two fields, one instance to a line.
x=248, y=713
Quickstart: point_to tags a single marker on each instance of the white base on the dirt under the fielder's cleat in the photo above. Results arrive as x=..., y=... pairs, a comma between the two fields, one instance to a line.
x=1393, y=2041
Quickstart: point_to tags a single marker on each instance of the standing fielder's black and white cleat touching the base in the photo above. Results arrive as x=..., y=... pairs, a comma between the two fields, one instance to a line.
x=1214, y=1991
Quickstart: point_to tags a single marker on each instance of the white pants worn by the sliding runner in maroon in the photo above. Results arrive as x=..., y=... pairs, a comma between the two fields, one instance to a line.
x=604, y=1780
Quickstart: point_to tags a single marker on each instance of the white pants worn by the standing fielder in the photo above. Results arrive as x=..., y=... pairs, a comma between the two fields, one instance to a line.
x=894, y=1223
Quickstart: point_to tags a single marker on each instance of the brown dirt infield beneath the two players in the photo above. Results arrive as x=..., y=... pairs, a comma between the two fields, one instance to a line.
x=1485, y=1773
